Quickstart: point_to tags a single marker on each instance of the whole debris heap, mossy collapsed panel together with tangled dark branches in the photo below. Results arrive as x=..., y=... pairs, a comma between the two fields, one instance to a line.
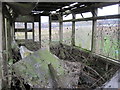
x=72, y=68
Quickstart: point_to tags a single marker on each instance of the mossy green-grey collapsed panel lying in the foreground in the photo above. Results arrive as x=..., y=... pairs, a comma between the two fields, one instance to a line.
x=36, y=70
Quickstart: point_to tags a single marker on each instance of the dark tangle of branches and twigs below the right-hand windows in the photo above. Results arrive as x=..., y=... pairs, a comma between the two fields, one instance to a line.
x=94, y=72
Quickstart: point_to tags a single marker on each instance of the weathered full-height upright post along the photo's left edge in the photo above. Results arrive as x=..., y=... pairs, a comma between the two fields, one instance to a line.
x=3, y=61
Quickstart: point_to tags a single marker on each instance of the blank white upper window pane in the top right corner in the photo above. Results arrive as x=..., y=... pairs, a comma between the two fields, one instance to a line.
x=108, y=10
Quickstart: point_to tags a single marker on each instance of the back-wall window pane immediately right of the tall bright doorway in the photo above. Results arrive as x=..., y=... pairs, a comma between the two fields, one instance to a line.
x=55, y=31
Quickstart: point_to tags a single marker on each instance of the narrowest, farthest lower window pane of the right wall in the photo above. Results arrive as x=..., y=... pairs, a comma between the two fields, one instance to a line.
x=67, y=32
